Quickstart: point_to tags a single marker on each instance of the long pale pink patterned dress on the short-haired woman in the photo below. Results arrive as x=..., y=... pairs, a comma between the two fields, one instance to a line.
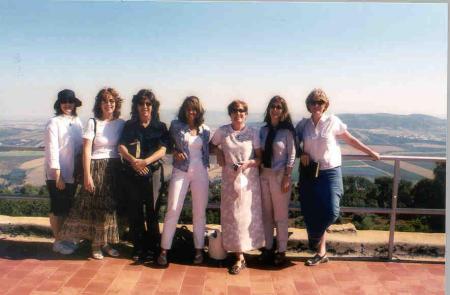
x=240, y=210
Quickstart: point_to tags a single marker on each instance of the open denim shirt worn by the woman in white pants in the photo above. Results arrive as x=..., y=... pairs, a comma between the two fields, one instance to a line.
x=178, y=134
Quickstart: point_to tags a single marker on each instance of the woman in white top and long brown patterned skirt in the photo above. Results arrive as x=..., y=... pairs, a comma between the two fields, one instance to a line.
x=93, y=216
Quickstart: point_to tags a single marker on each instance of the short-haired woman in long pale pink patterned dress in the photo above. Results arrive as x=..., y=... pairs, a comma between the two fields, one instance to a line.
x=239, y=153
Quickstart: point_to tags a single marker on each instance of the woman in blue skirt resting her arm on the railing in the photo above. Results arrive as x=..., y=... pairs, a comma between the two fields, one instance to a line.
x=320, y=183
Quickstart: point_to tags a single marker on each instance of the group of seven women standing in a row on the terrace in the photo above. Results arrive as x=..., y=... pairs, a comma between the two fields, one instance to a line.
x=256, y=163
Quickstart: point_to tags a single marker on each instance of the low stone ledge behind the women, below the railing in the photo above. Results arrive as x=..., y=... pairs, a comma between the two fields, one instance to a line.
x=361, y=243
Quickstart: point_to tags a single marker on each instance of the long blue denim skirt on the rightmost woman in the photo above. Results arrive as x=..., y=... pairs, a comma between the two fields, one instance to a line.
x=319, y=201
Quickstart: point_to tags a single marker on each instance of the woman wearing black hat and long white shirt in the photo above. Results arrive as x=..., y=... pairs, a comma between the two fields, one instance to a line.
x=62, y=141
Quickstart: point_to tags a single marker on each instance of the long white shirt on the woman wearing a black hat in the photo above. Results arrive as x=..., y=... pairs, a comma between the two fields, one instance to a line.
x=62, y=142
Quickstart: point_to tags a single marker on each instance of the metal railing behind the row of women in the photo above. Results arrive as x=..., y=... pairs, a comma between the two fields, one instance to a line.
x=393, y=211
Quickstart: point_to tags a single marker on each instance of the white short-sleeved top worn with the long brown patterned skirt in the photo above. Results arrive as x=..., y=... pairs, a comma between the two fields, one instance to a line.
x=106, y=137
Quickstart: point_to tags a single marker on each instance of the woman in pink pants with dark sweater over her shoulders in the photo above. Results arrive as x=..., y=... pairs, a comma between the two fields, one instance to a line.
x=278, y=157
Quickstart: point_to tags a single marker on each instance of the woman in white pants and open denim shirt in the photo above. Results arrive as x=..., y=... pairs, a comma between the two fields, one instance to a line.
x=190, y=140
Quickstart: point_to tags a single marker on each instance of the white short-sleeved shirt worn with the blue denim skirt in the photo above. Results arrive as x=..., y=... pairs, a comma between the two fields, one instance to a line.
x=320, y=142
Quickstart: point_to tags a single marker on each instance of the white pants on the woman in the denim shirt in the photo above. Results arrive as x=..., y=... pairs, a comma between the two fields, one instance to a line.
x=197, y=178
